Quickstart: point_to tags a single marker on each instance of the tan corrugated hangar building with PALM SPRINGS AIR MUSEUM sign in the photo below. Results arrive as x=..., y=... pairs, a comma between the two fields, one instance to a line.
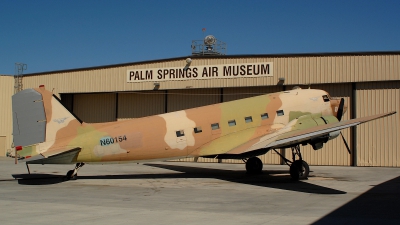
x=369, y=82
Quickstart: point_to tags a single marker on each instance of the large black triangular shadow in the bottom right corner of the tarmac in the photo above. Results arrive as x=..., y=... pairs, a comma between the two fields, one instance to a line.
x=379, y=205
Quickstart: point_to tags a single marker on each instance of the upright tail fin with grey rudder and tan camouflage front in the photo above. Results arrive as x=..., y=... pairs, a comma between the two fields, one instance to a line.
x=38, y=115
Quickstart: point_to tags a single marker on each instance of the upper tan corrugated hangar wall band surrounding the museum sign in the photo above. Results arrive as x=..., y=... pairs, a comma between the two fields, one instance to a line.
x=295, y=70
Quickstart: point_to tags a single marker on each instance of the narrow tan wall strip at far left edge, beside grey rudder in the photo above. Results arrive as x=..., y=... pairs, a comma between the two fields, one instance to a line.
x=7, y=90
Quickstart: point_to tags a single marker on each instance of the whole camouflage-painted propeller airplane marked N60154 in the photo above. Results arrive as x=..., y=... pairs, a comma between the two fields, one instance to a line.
x=46, y=132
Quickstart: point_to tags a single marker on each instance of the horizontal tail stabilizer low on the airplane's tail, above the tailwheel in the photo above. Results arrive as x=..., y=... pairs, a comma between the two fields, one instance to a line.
x=61, y=156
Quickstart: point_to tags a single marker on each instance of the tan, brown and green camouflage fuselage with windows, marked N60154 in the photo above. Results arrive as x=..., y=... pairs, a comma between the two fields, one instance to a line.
x=203, y=131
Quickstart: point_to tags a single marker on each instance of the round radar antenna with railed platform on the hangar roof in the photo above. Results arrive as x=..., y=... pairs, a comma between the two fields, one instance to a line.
x=209, y=46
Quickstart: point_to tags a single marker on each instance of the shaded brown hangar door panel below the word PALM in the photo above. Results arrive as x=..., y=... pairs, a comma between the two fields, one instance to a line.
x=140, y=104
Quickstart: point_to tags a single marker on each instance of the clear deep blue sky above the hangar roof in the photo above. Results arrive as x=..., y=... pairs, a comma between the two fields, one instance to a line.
x=56, y=35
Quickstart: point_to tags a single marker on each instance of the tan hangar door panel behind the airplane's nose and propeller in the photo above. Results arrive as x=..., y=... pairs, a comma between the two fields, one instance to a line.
x=334, y=151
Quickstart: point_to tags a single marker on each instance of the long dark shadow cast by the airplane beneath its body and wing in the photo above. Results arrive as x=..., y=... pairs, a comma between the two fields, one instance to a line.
x=279, y=179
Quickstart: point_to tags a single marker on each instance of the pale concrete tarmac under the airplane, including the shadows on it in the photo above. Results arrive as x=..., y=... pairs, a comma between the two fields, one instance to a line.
x=197, y=193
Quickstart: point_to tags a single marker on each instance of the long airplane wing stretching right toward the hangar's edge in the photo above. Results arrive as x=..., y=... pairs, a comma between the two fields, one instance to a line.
x=291, y=138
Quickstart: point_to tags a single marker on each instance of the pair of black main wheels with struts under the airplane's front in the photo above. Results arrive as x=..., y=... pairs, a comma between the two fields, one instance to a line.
x=299, y=169
